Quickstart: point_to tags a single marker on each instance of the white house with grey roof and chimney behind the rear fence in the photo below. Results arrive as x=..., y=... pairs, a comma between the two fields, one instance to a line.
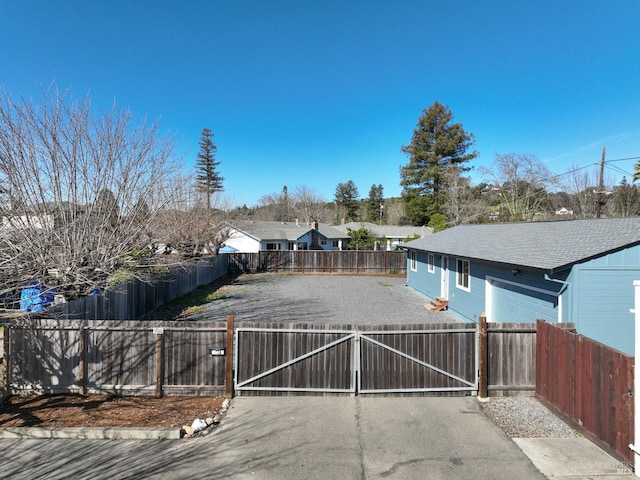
x=256, y=236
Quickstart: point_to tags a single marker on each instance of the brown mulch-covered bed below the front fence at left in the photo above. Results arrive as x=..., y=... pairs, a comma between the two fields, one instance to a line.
x=105, y=411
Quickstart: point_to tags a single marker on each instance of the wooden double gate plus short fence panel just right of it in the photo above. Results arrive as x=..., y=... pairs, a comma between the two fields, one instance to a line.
x=266, y=353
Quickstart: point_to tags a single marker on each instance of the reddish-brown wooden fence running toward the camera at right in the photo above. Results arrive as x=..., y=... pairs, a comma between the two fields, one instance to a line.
x=589, y=383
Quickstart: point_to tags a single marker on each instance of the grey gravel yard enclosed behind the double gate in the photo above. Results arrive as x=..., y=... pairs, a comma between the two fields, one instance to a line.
x=356, y=300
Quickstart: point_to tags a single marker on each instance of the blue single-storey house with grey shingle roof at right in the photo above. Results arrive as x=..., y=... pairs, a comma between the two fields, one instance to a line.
x=579, y=271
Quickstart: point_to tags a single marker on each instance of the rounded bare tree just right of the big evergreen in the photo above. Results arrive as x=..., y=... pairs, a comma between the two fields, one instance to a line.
x=523, y=181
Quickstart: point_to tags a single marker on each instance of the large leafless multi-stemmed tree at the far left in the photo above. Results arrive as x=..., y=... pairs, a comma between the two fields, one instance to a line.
x=81, y=190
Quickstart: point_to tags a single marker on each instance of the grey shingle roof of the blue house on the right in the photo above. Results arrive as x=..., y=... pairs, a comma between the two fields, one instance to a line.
x=549, y=246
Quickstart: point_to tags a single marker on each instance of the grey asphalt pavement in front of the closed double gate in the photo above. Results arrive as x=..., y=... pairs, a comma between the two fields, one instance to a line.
x=306, y=438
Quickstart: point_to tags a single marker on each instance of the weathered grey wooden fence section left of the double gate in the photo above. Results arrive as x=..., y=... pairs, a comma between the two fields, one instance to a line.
x=126, y=358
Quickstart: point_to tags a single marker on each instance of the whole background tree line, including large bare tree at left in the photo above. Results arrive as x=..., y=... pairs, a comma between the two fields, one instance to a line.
x=89, y=198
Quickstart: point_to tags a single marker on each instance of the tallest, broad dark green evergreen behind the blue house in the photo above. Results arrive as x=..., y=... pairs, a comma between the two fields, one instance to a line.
x=436, y=146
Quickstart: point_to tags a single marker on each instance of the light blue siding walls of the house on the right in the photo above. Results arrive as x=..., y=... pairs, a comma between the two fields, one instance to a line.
x=597, y=295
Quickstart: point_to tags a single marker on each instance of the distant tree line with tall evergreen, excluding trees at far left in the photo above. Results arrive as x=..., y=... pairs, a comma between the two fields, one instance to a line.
x=437, y=190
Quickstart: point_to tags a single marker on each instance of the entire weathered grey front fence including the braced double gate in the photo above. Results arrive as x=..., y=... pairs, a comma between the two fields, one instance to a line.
x=169, y=358
